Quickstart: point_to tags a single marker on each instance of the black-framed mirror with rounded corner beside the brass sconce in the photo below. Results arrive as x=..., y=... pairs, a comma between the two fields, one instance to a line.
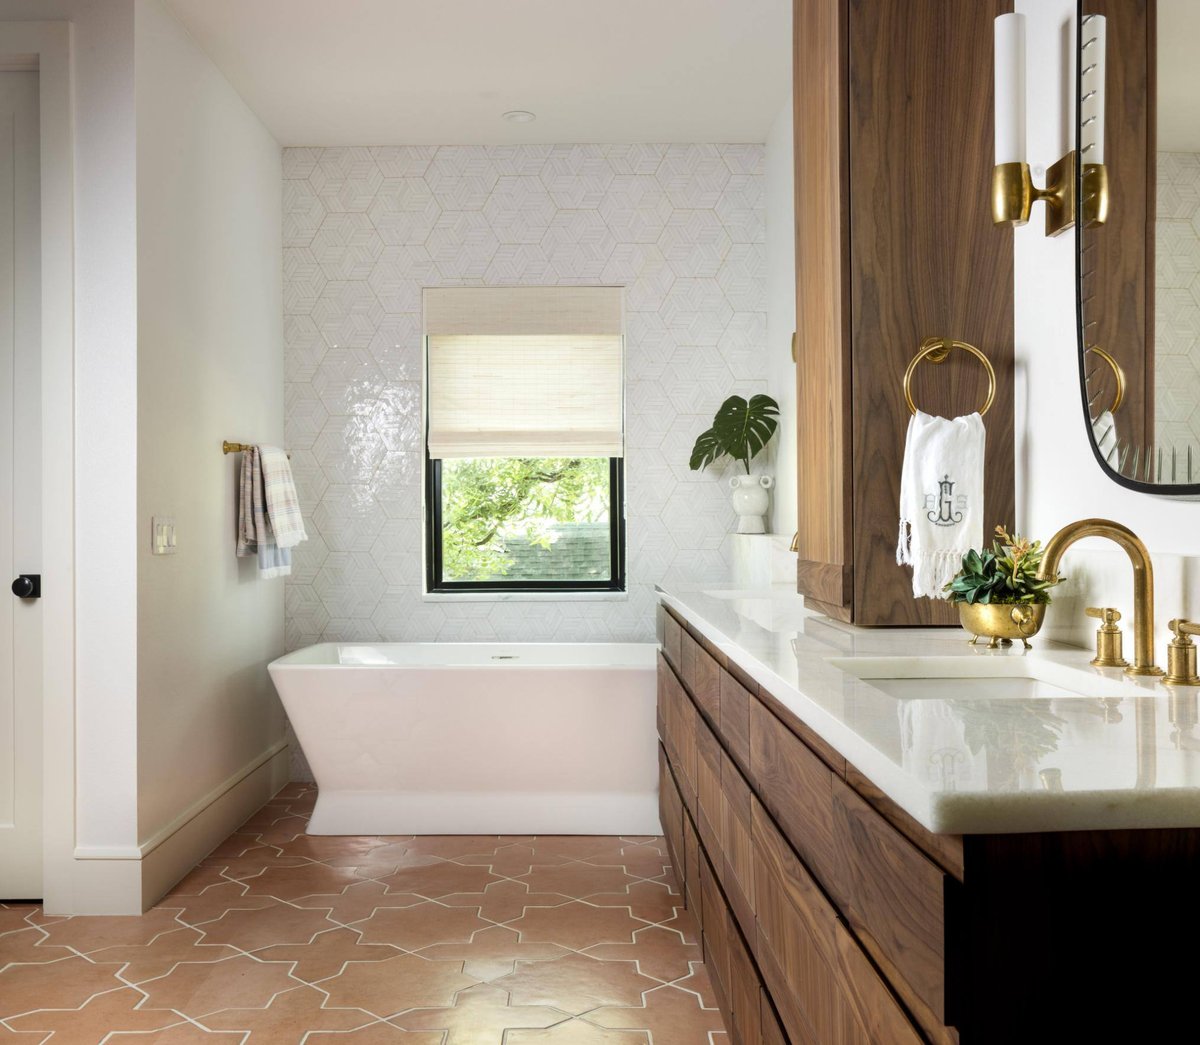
x=1139, y=239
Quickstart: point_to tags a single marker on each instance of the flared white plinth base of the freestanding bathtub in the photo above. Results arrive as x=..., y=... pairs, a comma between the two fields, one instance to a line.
x=373, y=813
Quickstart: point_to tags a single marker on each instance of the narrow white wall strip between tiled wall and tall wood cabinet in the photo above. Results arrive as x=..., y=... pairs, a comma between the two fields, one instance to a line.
x=781, y=208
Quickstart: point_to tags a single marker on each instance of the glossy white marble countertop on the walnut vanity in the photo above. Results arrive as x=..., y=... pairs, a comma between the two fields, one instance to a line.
x=1123, y=750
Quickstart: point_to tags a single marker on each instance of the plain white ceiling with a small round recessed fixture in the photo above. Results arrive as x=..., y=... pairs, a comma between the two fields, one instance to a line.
x=385, y=73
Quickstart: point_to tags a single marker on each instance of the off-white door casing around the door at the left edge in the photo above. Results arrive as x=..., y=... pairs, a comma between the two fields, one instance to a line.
x=46, y=47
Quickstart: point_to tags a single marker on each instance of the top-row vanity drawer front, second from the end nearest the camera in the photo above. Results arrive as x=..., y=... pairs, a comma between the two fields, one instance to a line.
x=797, y=788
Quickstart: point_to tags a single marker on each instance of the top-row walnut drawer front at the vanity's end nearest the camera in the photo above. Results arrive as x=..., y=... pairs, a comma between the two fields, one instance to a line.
x=897, y=900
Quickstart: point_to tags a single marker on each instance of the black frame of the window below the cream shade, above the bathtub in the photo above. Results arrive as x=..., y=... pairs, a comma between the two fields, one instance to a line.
x=436, y=585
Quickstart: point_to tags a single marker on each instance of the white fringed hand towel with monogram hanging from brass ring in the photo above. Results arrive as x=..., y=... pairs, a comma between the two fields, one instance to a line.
x=941, y=499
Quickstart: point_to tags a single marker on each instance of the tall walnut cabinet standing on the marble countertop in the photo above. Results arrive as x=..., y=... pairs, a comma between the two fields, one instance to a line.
x=895, y=243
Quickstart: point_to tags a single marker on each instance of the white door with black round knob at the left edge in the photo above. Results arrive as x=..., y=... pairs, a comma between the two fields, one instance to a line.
x=21, y=495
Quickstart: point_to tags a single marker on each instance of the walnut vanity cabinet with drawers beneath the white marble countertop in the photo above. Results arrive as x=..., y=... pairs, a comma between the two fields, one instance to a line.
x=829, y=915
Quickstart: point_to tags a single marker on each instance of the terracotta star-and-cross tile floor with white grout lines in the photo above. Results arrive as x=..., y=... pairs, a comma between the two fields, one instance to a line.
x=280, y=938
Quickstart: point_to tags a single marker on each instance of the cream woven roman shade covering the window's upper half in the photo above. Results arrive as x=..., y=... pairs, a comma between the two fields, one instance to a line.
x=525, y=371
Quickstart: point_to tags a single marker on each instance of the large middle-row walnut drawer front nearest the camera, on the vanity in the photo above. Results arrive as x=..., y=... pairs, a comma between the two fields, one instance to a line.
x=826, y=989
